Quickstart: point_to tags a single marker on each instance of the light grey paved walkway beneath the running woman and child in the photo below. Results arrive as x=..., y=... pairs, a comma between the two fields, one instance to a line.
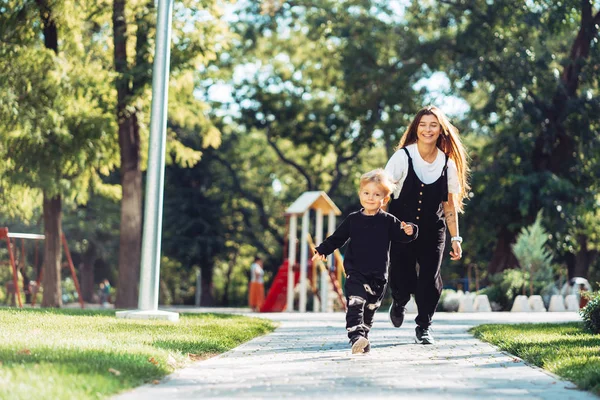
x=308, y=357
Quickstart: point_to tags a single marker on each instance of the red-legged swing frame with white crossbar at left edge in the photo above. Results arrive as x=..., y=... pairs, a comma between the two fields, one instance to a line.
x=7, y=236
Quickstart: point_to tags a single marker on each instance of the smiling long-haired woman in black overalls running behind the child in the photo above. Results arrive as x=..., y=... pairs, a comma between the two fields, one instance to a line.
x=430, y=170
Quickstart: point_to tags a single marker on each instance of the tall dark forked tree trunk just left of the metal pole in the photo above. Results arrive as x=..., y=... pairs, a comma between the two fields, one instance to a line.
x=129, y=82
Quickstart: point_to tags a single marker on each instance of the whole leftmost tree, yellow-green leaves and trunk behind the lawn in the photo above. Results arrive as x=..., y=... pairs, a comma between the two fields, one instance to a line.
x=56, y=125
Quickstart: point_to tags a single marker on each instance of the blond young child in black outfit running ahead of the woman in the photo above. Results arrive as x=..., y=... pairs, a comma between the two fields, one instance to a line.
x=369, y=232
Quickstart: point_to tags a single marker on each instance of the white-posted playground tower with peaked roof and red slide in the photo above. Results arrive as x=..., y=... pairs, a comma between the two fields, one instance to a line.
x=323, y=279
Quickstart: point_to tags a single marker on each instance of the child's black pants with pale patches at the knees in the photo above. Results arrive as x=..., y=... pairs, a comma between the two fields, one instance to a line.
x=363, y=297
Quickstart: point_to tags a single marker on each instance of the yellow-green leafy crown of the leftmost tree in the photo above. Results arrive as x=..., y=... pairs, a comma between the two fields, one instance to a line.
x=58, y=122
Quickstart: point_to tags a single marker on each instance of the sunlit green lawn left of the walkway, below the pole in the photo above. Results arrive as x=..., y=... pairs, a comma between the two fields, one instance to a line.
x=78, y=354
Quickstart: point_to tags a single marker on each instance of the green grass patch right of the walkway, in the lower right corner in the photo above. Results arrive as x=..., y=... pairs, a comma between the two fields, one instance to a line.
x=563, y=349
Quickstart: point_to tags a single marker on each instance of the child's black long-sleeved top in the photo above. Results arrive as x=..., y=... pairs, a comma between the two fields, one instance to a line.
x=369, y=238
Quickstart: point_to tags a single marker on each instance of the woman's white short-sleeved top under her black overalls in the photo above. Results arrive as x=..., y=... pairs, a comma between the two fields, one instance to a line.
x=428, y=173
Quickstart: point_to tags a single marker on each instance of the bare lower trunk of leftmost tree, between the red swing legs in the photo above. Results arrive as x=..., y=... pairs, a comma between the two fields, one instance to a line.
x=52, y=252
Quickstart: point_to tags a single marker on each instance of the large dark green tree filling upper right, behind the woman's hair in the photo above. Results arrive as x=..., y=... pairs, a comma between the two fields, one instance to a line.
x=529, y=71
